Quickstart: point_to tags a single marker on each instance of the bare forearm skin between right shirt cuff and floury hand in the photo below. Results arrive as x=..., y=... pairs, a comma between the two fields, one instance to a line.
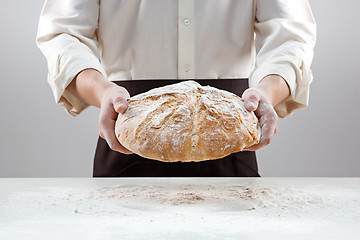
x=275, y=88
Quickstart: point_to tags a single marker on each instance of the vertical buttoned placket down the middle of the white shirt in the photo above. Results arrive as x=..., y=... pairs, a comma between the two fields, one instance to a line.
x=186, y=39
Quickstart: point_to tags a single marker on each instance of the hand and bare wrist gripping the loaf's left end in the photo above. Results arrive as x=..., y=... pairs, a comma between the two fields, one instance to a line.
x=91, y=86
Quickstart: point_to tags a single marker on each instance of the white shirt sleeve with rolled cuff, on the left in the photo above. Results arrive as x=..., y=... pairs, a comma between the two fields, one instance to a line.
x=67, y=37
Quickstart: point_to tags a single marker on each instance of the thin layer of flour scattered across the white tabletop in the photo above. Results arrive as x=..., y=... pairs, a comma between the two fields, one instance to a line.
x=252, y=198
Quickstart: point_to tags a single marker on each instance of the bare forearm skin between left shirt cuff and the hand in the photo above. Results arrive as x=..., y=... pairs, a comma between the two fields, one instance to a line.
x=90, y=86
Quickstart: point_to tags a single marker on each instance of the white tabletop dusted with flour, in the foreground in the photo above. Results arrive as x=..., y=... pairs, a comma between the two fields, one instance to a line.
x=180, y=208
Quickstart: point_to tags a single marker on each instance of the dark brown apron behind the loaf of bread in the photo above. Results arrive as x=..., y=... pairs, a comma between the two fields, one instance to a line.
x=108, y=163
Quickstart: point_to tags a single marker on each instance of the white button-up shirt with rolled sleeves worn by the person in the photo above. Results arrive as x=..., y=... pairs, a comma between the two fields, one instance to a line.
x=184, y=39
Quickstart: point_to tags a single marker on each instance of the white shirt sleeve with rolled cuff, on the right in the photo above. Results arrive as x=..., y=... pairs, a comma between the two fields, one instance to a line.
x=284, y=41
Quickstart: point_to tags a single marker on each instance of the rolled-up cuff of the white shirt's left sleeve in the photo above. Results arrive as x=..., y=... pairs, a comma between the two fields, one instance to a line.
x=69, y=64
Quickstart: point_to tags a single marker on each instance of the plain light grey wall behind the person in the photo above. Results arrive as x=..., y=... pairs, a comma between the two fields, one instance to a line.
x=38, y=139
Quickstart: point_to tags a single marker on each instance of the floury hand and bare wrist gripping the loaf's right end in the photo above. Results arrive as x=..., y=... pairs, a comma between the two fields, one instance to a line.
x=260, y=99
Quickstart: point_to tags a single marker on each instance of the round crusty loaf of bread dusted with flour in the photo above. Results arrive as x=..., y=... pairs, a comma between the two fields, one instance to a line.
x=186, y=122
